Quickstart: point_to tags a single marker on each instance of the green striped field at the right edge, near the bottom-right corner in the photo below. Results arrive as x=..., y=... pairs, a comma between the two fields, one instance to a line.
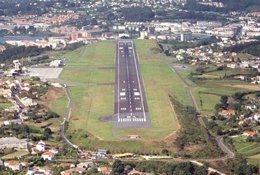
x=250, y=150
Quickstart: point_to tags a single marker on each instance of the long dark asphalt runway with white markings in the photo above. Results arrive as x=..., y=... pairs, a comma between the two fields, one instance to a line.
x=130, y=107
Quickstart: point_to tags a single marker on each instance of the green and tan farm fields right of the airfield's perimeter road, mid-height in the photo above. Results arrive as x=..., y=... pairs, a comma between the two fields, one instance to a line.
x=211, y=85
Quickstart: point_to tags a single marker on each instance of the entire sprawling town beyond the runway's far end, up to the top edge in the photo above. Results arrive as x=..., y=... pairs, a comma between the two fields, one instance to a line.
x=65, y=26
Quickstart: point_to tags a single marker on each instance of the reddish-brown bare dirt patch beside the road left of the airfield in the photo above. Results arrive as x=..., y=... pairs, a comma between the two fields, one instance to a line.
x=52, y=94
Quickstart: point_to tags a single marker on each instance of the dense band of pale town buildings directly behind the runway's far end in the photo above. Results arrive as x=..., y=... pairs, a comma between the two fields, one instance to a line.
x=183, y=31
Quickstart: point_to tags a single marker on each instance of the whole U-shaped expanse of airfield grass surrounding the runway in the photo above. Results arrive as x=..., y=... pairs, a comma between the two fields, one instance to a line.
x=90, y=66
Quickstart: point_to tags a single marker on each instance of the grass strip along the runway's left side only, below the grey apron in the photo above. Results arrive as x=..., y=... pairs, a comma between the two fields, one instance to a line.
x=91, y=101
